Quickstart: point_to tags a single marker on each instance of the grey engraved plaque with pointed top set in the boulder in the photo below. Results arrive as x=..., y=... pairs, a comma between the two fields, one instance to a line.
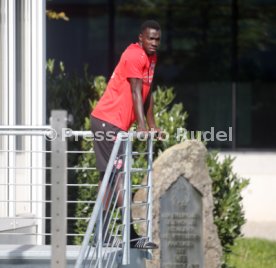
x=181, y=226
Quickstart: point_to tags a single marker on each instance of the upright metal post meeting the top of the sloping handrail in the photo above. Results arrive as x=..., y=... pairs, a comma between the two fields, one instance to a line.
x=127, y=196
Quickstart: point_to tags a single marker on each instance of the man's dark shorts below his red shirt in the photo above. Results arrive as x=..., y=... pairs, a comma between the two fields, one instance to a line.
x=104, y=136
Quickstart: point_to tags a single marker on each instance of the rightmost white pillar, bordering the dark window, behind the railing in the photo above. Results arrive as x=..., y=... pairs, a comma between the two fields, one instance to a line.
x=38, y=66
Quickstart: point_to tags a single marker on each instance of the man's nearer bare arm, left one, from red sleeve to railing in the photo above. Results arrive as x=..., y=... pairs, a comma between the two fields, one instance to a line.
x=136, y=90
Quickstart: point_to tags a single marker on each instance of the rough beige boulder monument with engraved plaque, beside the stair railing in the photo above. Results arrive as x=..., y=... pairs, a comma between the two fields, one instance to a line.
x=182, y=210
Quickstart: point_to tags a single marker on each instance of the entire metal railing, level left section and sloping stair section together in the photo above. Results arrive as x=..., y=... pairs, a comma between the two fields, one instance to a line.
x=36, y=178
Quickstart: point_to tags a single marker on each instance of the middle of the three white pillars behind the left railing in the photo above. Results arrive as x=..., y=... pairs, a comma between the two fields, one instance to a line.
x=23, y=100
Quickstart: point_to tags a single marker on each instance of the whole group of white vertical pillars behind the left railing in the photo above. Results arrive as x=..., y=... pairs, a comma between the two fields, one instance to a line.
x=30, y=83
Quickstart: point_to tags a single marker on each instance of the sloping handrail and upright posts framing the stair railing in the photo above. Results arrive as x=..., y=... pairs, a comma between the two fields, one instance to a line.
x=86, y=255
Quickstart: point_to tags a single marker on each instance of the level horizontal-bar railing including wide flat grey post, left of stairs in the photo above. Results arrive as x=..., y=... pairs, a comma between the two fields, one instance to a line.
x=34, y=180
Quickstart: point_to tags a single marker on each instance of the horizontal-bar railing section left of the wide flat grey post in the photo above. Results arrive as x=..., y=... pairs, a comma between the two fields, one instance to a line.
x=22, y=184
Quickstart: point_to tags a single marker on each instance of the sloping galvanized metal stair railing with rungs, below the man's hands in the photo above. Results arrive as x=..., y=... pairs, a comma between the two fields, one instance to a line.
x=91, y=253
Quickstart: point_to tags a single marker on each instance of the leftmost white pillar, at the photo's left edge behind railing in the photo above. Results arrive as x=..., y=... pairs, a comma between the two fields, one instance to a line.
x=8, y=104
